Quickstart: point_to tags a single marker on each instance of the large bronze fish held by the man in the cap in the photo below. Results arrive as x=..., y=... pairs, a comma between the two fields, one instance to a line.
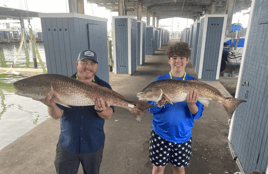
x=70, y=92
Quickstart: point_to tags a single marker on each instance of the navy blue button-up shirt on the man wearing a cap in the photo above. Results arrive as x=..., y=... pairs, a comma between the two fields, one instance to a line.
x=81, y=127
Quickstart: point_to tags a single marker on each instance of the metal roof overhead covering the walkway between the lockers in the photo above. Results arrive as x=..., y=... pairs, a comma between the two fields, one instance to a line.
x=172, y=8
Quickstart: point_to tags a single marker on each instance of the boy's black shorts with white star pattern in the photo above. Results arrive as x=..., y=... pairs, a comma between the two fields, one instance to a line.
x=161, y=152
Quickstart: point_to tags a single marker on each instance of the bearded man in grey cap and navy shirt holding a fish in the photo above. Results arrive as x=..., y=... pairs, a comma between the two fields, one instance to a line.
x=82, y=136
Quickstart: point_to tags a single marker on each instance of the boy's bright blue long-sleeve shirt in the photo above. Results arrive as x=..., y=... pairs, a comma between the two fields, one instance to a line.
x=174, y=123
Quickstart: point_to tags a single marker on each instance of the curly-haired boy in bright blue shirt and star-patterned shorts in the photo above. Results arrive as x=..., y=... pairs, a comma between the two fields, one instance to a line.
x=171, y=136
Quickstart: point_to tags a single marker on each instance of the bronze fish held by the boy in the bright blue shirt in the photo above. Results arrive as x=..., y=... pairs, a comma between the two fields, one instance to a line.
x=177, y=90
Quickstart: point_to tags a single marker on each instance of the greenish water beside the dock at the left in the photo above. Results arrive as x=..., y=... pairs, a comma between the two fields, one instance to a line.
x=18, y=114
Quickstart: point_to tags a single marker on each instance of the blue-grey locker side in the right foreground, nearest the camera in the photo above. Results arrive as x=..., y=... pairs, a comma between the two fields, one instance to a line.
x=249, y=135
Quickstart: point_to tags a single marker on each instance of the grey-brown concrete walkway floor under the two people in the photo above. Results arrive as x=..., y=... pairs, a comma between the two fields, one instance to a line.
x=127, y=141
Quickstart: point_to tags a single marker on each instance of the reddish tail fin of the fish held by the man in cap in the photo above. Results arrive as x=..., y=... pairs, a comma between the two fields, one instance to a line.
x=138, y=109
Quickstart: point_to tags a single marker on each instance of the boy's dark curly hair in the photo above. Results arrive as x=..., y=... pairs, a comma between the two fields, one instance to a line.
x=181, y=49
